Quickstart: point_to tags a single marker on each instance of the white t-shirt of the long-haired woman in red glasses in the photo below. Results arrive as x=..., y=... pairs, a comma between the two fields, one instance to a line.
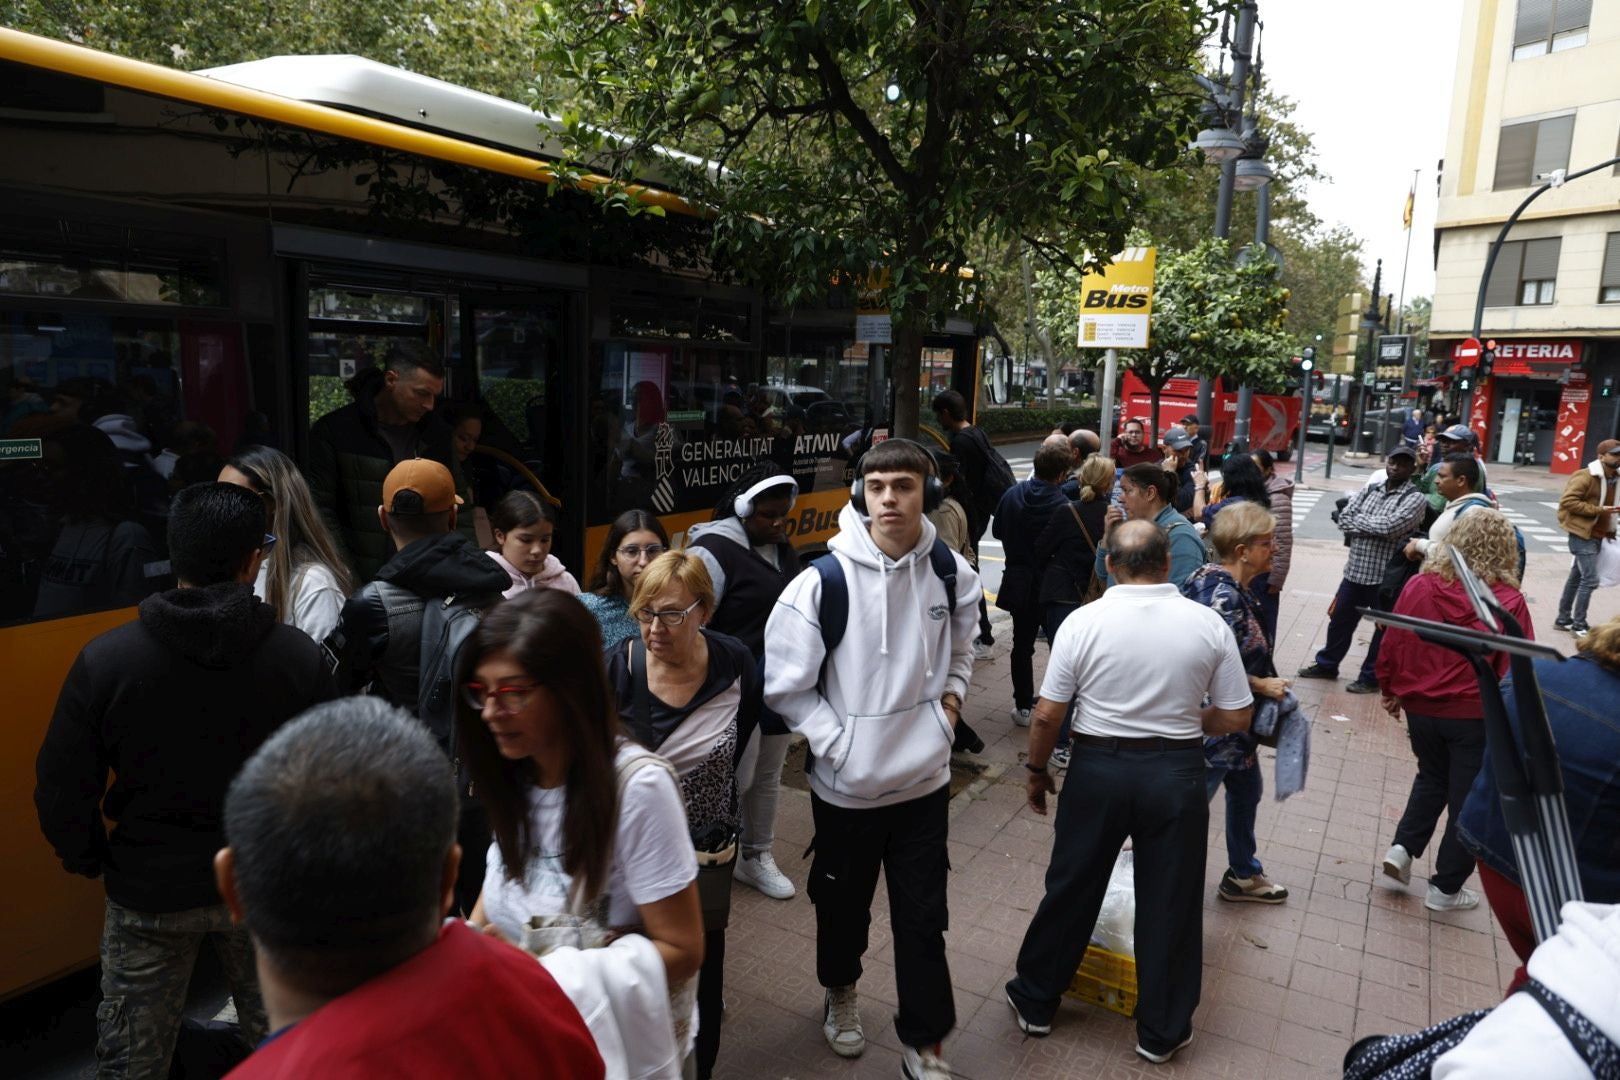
x=652, y=856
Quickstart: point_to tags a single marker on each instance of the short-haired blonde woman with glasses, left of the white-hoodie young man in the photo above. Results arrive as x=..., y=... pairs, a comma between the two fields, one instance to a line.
x=694, y=697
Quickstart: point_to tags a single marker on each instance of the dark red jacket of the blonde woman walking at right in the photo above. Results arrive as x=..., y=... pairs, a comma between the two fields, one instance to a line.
x=1428, y=679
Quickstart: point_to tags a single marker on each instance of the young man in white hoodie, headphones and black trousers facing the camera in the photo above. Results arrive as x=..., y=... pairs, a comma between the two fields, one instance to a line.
x=879, y=712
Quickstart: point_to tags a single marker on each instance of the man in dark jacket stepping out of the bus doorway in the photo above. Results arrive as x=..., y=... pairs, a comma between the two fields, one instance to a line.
x=354, y=448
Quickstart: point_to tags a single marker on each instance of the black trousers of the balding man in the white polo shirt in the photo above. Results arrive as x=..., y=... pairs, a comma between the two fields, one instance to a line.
x=1157, y=801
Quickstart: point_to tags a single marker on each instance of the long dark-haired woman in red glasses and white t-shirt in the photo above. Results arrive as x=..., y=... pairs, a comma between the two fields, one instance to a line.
x=579, y=828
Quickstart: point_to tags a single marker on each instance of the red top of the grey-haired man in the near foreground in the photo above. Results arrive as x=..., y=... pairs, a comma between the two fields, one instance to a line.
x=466, y=1006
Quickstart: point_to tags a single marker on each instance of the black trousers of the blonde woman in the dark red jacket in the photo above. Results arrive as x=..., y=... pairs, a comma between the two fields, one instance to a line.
x=1449, y=757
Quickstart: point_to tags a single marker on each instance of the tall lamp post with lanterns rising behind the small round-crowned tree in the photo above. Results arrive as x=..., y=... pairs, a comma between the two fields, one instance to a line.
x=1235, y=143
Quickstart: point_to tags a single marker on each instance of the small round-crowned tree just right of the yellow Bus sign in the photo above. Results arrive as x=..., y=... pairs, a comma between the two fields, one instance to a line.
x=1214, y=318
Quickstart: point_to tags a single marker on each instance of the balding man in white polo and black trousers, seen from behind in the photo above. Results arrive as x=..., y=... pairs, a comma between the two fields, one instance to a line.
x=1151, y=673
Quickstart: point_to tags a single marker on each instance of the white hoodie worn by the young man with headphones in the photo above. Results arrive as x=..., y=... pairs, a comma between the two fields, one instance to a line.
x=876, y=728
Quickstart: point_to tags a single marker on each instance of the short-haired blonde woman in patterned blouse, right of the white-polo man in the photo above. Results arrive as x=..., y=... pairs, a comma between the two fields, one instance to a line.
x=1242, y=535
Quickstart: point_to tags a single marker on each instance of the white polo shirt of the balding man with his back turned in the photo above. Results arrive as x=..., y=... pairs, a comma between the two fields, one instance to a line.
x=1138, y=663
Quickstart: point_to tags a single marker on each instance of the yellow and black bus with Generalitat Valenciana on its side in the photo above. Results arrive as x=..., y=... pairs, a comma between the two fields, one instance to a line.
x=194, y=263
